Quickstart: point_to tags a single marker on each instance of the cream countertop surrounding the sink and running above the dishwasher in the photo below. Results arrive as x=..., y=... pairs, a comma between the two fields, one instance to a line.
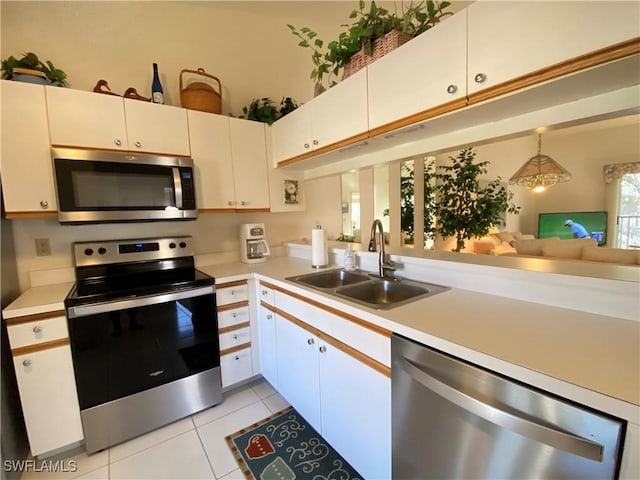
x=594, y=353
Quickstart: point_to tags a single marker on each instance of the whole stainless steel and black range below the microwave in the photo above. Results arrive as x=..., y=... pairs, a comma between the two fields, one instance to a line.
x=144, y=337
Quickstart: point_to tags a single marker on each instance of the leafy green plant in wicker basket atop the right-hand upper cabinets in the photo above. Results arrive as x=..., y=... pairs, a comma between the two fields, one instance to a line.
x=375, y=32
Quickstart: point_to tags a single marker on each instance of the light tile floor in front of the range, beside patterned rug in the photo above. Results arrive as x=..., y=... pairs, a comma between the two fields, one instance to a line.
x=191, y=448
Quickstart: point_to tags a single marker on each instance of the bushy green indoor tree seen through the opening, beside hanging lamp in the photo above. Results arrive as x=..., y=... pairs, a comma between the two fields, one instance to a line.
x=465, y=208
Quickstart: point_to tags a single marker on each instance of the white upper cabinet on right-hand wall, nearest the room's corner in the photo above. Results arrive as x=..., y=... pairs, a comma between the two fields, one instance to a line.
x=323, y=124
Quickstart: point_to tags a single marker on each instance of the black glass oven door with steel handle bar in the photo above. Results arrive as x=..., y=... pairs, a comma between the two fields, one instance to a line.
x=127, y=346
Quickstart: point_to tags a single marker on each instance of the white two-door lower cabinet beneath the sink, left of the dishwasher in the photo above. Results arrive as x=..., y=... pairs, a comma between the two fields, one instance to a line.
x=339, y=391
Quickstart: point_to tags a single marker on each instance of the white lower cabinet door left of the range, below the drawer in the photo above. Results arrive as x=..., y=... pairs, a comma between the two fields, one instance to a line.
x=49, y=400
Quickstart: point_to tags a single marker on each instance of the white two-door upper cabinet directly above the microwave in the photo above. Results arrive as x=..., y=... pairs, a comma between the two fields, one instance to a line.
x=93, y=120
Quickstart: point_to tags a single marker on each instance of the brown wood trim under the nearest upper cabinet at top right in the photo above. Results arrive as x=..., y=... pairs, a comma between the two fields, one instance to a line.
x=592, y=59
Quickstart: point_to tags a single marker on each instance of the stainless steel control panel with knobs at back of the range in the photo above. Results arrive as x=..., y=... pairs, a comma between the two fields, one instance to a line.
x=118, y=251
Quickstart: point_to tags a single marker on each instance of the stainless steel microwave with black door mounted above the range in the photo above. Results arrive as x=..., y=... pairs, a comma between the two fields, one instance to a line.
x=95, y=186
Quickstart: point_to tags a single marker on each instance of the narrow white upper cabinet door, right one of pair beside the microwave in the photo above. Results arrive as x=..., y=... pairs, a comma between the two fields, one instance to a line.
x=249, y=153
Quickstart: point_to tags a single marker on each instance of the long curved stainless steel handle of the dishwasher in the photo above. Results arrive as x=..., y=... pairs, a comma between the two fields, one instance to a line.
x=536, y=431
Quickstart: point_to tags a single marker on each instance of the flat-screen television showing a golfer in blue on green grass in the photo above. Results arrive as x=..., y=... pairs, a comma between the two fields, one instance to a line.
x=553, y=224
